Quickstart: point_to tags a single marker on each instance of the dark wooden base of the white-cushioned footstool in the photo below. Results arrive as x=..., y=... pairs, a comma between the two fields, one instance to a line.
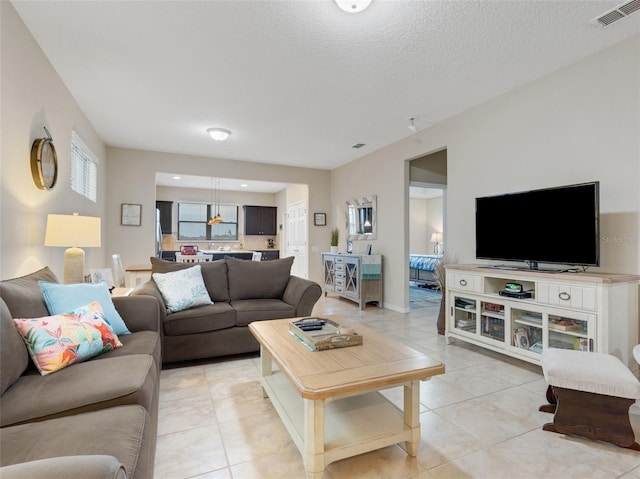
x=594, y=416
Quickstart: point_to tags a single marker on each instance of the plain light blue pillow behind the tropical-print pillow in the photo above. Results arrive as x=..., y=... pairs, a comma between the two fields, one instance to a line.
x=62, y=298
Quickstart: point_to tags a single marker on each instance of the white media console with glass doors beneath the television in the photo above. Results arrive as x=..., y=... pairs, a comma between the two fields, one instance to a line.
x=588, y=311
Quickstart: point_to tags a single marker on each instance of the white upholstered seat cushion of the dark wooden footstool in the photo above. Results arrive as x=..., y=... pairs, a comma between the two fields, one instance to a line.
x=597, y=373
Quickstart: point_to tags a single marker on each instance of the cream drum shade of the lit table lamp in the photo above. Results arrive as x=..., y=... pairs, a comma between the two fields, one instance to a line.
x=73, y=230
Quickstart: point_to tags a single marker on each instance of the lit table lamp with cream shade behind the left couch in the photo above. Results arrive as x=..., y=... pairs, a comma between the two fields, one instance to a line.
x=73, y=232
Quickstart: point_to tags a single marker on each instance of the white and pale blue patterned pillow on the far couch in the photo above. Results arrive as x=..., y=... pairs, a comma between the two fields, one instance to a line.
x=183, y=289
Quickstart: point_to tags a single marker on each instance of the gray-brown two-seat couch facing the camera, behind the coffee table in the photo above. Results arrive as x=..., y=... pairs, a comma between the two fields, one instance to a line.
x=242, y=291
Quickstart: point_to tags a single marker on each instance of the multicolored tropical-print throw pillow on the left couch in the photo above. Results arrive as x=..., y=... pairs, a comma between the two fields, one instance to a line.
x=55, y=342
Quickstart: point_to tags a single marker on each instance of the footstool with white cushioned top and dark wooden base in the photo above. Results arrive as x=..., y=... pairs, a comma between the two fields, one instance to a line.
x=590, y=395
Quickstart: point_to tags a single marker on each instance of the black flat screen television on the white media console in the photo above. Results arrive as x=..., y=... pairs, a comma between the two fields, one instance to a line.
x=558, y=225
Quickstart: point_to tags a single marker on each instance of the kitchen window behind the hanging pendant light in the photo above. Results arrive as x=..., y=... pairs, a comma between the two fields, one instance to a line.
x=193, y=217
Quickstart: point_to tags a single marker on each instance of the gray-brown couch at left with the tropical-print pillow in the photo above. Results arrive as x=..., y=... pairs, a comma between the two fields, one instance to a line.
x=94, y=419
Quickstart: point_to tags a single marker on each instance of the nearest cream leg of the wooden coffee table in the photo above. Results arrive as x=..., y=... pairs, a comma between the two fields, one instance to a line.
x=314, y=438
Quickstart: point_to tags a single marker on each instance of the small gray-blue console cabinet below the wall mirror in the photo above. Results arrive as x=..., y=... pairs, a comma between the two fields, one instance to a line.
x=357, y=277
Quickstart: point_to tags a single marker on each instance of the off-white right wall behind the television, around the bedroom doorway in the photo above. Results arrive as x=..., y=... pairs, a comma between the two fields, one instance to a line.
x=578, y=124
